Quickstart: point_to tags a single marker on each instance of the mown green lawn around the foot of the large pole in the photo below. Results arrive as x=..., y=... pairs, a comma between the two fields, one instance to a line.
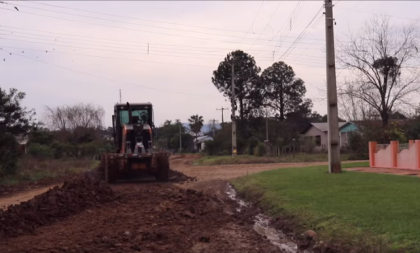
x=380, y=212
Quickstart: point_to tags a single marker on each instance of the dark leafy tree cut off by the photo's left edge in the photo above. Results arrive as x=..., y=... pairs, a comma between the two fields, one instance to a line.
x=15, y=121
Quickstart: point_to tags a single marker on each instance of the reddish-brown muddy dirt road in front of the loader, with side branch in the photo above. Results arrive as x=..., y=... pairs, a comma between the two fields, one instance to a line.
x=188, y=216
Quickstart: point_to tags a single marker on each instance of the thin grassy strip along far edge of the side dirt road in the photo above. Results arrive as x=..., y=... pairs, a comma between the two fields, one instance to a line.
x=248, y=159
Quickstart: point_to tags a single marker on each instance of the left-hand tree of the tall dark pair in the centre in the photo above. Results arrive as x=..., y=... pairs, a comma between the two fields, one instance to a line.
x=246, y=80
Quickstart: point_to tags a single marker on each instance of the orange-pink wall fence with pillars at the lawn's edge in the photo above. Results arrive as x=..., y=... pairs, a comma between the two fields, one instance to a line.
x=395, y=155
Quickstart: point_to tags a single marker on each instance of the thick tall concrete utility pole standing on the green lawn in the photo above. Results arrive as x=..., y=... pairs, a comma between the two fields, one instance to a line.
x=333, y=132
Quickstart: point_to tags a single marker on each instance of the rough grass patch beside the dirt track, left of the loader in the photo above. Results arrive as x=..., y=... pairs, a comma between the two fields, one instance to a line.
x=32, y=170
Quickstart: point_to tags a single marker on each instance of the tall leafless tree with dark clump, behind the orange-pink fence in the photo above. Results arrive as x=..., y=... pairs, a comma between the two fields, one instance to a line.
x=382, y=59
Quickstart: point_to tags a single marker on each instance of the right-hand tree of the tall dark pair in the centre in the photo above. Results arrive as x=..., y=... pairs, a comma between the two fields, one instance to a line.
x=283, y=92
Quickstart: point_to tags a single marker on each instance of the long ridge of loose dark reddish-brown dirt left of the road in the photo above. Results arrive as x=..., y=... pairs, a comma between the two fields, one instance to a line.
x=75, y=195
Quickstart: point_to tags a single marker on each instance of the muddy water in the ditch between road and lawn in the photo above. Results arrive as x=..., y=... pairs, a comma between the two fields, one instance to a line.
x=262, y=227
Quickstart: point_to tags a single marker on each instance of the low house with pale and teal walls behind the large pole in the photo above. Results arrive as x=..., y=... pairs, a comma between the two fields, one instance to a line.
x=319, y=133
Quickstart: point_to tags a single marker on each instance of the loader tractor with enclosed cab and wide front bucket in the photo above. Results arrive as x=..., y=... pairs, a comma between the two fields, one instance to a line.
x=135, y=157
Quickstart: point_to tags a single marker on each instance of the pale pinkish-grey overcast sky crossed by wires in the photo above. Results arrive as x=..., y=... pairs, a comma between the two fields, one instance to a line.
x=165, y=52
